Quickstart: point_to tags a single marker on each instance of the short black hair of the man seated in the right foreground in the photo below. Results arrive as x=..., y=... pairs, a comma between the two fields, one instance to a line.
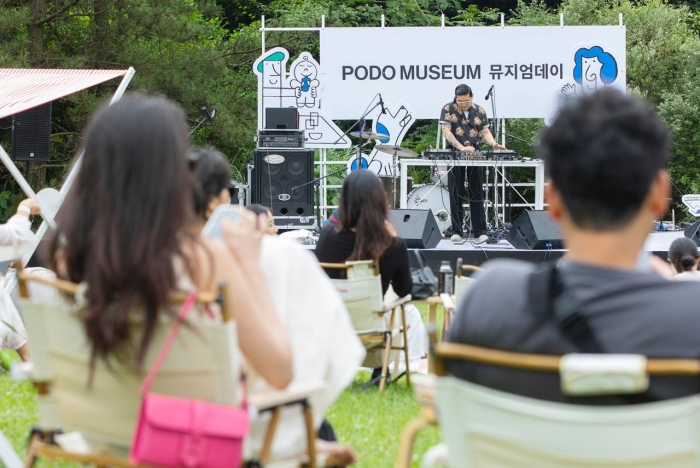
x=602, y=152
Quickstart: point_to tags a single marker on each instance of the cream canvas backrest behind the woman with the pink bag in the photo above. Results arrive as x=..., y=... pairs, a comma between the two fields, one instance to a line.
x=204, y=363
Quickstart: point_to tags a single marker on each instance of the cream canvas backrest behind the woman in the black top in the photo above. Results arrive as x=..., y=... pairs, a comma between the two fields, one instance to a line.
x=362, y=294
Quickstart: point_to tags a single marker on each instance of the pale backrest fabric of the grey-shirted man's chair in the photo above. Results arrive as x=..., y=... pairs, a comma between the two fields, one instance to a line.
x=486, y=427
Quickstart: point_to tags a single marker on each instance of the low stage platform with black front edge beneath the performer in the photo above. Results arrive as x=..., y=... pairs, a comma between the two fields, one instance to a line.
x=657, y=243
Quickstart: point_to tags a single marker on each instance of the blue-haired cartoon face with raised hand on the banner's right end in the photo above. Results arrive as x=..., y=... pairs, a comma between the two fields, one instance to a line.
x=594, y=69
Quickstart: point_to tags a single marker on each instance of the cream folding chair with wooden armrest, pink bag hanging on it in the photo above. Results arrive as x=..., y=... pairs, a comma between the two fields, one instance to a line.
x=203, y=363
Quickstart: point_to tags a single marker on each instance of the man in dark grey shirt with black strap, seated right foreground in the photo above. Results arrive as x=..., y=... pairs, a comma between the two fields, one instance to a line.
x=605, y=154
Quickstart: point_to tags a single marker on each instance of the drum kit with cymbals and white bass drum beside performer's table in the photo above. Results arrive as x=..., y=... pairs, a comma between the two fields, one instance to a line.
x=432, y=196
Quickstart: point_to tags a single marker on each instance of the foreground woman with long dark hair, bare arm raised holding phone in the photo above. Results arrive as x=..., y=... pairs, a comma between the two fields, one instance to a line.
x=127, y=228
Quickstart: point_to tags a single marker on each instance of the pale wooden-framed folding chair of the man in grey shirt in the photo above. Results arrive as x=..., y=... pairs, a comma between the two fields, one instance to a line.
x=486, y=427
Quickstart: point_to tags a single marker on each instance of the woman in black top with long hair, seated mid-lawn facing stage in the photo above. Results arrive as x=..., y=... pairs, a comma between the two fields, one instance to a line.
x=365, y=233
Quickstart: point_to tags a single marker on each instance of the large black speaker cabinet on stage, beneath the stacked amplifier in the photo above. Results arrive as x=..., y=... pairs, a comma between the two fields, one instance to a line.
x=276, y=174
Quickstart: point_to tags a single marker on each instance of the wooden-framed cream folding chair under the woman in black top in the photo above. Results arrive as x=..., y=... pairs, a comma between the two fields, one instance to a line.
x=362, y=294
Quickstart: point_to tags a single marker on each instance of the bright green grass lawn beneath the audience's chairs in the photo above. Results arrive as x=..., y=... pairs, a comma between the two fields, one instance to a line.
x=369, y=421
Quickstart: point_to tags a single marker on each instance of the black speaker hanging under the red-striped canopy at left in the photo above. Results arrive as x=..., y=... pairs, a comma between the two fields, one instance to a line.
x=31, y=134
